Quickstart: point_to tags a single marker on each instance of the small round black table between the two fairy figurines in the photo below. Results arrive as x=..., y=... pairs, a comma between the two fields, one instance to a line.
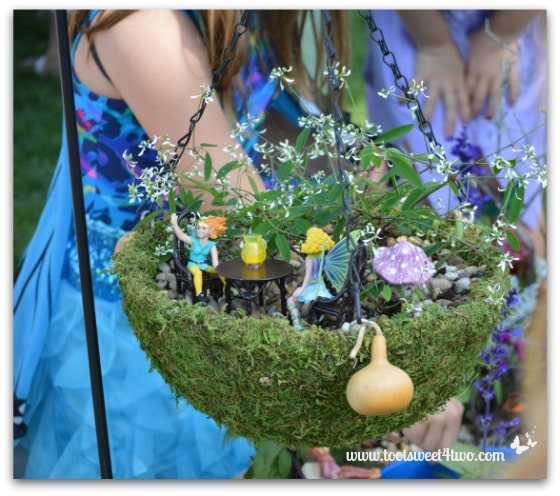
x=250, y=283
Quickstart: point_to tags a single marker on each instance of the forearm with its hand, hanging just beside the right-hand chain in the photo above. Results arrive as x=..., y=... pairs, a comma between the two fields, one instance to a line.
x=438, y=64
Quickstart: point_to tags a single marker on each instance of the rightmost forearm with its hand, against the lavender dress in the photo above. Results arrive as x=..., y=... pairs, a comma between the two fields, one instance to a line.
x=489, y=53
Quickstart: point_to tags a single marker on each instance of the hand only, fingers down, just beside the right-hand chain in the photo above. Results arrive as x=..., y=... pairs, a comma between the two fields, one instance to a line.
x=442, y=70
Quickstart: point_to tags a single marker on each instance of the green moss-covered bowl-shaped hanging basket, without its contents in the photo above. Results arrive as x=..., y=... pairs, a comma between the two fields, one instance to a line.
x=266, y=381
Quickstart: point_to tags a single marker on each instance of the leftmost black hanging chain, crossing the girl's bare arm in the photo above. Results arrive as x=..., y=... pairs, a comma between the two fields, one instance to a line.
x=228, y=55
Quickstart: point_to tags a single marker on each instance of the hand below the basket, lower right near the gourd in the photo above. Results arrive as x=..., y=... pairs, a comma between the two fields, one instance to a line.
x=440, y=430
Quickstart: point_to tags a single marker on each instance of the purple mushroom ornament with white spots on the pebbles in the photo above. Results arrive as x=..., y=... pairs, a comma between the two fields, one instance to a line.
x=403, y=263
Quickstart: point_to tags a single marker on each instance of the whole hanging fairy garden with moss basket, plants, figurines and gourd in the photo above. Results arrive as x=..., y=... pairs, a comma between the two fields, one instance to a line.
x=433, y=287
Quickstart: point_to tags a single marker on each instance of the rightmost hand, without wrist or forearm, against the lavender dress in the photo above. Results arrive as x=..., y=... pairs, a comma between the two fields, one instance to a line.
x=489, y=63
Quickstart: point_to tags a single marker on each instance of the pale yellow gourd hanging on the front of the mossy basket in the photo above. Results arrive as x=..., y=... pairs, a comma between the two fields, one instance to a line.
x=379, y=388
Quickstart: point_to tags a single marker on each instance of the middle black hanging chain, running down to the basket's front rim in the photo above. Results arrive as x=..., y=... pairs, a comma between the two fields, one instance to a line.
x=343, y=179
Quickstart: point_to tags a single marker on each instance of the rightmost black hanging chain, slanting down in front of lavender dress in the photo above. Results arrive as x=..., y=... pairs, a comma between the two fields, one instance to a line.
x=401, y=82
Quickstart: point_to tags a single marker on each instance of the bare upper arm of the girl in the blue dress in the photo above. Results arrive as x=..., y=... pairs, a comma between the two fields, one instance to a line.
x=157, y=61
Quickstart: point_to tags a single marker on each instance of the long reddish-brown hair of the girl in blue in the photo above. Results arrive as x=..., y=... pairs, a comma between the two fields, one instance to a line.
x=283, y=30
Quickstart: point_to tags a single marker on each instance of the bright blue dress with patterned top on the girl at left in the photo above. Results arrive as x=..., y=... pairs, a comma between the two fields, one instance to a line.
x=151, y=434
